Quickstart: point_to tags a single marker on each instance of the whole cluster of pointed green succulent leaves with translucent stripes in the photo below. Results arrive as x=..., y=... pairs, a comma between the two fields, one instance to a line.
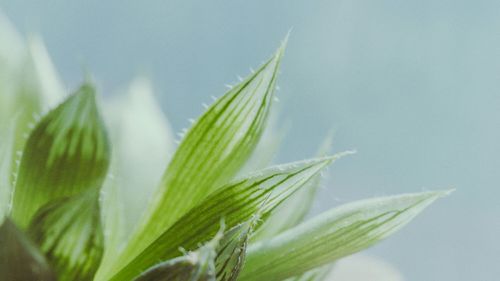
x=65, y=217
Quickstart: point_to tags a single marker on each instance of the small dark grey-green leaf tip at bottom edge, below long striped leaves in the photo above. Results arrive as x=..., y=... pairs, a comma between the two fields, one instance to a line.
x=198, y=265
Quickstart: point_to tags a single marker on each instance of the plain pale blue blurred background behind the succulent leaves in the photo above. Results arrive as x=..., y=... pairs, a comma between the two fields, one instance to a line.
x=413, y=85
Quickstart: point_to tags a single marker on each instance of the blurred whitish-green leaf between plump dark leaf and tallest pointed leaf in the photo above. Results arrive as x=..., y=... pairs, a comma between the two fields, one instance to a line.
x=142, y=144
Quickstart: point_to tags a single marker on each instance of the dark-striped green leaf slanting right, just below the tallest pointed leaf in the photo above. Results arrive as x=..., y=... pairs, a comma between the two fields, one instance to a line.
x=236, y=202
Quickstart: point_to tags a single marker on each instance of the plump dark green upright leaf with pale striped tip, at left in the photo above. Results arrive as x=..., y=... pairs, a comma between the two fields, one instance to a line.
x=66, y=154
